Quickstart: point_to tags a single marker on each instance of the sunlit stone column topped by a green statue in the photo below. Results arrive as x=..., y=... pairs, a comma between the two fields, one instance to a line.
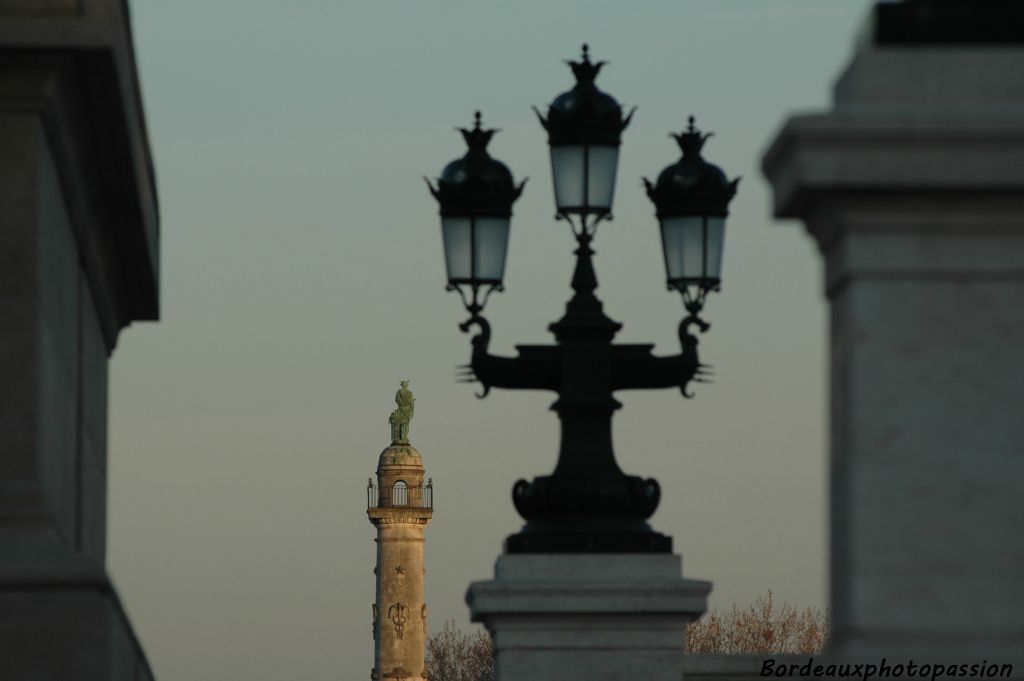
x=400, y=506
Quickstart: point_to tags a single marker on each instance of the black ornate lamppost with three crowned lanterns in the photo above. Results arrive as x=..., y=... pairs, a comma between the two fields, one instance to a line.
x=588, y=504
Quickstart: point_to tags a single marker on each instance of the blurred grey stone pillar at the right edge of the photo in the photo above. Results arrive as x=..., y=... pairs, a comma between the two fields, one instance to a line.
x=913, y=187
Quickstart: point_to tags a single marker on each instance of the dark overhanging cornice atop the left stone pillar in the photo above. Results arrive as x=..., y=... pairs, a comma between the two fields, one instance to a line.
x=76, y=71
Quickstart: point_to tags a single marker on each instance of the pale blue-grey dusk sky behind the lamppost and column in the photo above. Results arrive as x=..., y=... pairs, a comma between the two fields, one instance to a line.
x=303, y=279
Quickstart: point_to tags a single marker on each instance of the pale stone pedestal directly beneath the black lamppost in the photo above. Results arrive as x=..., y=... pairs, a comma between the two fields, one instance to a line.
x=594, y=617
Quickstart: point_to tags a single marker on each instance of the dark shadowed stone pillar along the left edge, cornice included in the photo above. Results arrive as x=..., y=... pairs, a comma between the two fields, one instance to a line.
x=78, y=263
